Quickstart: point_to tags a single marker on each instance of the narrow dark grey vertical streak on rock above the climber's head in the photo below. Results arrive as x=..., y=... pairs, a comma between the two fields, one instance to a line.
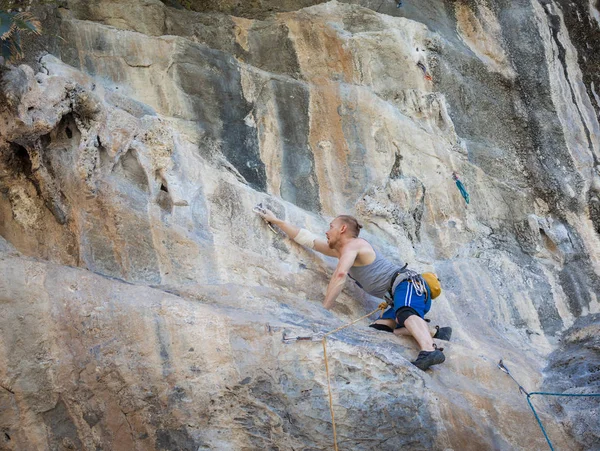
x=299, y=181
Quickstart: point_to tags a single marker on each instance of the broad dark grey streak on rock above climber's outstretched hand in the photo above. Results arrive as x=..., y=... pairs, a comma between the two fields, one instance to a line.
x=212, y=81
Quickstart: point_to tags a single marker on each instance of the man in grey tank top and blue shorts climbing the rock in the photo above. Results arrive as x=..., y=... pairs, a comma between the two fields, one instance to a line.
x=375, y=275
